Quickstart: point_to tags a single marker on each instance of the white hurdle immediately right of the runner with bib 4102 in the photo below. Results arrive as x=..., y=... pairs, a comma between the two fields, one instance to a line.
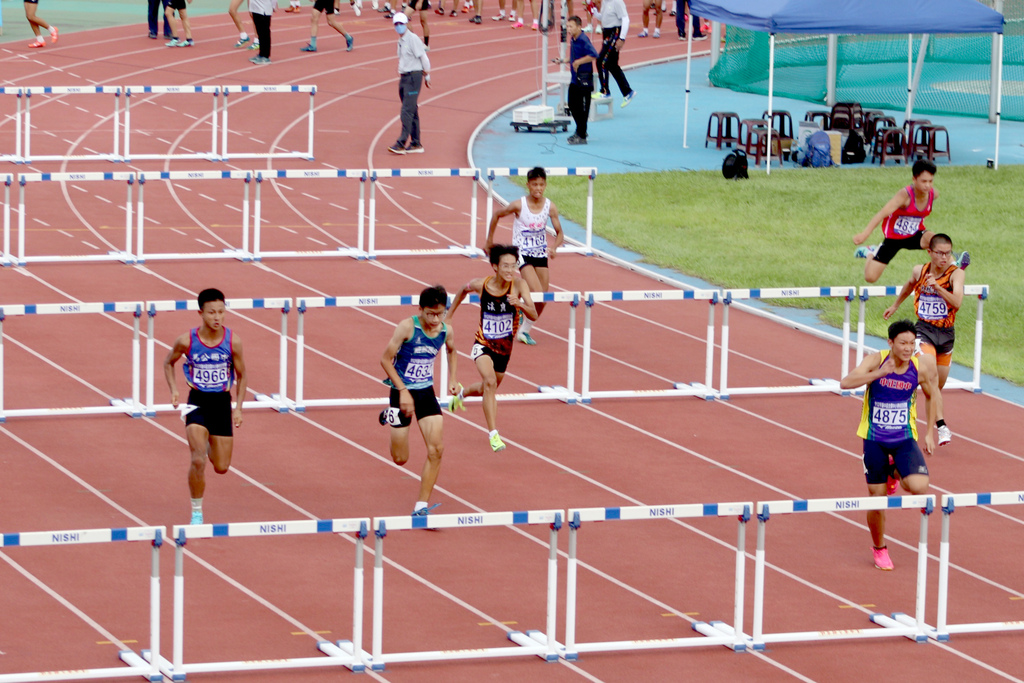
x=704, y=391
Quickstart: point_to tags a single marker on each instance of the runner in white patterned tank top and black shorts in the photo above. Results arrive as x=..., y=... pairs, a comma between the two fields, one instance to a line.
x=530, y=235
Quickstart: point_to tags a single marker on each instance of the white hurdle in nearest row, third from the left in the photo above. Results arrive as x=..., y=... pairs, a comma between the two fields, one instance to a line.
x=532, y=644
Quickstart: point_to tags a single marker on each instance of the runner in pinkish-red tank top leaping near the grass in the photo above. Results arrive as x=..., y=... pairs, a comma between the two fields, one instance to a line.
x=903, y=221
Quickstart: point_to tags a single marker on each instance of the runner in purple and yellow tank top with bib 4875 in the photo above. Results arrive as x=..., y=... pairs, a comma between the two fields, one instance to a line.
x=889, y=422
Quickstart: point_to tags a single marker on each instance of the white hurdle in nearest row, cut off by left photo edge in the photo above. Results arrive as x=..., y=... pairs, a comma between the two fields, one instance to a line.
x=138, y=666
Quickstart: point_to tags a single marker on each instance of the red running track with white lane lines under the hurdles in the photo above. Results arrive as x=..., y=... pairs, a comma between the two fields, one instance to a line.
x=252, y=599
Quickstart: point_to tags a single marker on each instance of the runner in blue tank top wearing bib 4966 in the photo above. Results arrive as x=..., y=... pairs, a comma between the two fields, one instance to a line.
x=214, y=364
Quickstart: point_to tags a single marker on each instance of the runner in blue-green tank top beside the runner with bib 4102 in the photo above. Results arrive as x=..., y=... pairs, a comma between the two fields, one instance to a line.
x=409, y=362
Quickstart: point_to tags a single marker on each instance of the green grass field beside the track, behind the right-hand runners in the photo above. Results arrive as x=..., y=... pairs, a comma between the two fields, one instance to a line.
x=795, y=229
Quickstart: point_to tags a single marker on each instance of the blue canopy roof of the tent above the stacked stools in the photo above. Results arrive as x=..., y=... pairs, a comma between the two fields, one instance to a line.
x=852, y=17
